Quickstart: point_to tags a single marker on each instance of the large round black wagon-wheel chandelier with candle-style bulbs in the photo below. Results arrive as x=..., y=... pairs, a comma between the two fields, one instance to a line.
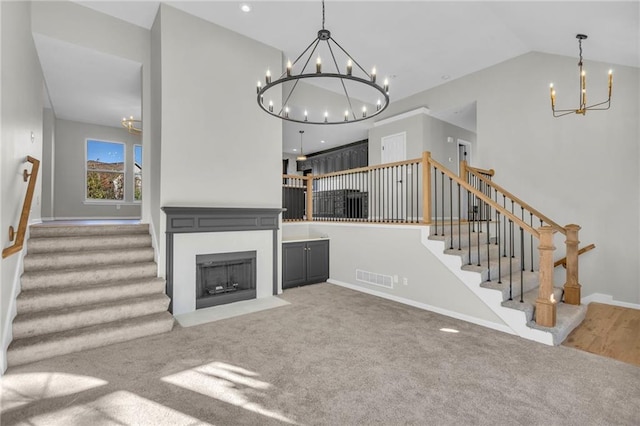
x=362, y=97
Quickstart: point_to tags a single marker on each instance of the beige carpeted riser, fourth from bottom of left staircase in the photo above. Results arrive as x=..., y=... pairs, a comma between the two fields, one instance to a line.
x=77, y=277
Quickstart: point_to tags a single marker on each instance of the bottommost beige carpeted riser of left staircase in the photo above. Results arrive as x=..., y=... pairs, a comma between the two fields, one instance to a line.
x=39, y=351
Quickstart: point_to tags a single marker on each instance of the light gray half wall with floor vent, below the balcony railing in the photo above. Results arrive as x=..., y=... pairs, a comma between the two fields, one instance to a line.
x=396, y=251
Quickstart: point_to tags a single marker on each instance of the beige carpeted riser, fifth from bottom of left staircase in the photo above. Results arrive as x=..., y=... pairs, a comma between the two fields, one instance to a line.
x=87, y=258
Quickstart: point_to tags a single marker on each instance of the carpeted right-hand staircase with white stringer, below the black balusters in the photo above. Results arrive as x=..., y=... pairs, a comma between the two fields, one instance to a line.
x=497, y=285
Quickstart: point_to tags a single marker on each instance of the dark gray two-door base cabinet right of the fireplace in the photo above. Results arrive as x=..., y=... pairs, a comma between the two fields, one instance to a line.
x=305, y=262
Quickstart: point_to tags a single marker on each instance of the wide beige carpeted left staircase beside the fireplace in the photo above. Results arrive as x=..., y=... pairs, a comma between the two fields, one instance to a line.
x=85, y=287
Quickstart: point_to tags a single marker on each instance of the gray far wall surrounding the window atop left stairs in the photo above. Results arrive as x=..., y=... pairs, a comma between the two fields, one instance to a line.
x=69, y=174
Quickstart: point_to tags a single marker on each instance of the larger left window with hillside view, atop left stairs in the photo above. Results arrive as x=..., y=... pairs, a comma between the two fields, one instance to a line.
x=105, y=170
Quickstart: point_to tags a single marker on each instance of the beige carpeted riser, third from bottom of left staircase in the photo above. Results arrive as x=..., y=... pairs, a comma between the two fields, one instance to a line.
x=88, y=295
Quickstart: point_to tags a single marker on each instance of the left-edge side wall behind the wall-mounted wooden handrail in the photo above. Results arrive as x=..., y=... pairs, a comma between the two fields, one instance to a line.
x=22, y=105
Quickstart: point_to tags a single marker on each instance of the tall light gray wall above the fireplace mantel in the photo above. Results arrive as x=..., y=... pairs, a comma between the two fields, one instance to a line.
x=218, y=148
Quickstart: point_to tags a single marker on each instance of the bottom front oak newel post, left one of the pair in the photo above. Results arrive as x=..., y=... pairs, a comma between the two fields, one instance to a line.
x=545, y=303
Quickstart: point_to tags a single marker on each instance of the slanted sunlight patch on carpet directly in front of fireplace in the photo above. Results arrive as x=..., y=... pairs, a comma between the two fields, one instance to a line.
x=227, y=383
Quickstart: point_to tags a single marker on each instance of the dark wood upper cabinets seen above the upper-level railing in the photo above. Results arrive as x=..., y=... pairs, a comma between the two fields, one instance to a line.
x=345, y=157
